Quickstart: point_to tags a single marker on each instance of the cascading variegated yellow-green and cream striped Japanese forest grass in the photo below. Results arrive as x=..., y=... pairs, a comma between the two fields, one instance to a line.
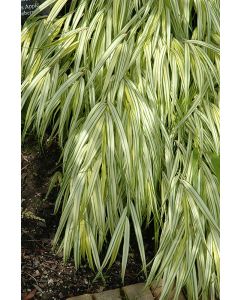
x=130, y=89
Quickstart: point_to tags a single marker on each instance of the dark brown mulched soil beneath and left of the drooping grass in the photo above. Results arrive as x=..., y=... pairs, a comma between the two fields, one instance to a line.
x=44, y=275
